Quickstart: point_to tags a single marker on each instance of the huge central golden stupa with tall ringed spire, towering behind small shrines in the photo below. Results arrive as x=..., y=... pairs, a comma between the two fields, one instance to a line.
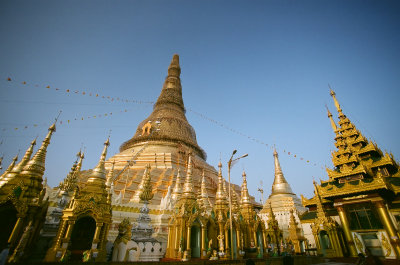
x=163, y=140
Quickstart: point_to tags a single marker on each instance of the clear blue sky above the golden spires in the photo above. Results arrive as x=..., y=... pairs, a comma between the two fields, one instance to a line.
x=260, y=67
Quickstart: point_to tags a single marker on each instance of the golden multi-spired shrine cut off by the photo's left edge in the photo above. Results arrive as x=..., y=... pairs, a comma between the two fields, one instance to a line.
x=22, y=204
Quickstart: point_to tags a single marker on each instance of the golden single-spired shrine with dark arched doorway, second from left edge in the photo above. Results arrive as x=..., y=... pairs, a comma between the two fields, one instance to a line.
x=86, y=219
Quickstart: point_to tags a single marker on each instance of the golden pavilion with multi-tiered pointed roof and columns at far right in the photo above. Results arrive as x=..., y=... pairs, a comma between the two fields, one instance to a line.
x=362, y=193
